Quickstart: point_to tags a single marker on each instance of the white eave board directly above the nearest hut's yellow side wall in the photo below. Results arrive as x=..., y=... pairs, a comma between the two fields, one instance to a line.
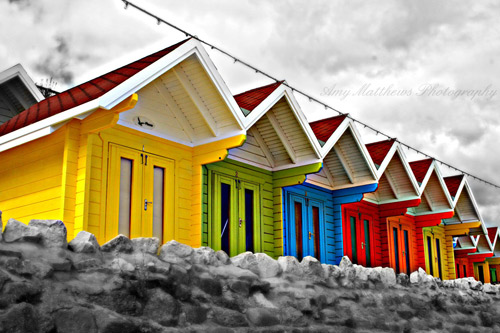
x=9, y=139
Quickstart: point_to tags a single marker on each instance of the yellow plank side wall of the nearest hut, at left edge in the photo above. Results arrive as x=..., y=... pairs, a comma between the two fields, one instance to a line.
x=31, y=179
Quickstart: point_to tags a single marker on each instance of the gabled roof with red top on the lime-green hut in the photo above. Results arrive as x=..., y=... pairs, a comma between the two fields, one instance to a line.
x=278, y=134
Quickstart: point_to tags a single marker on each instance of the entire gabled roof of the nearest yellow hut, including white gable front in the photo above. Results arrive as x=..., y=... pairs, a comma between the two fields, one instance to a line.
x=108, y=90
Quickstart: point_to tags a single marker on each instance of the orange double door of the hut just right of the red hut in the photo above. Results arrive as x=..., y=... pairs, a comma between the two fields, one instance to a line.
x=400, y=245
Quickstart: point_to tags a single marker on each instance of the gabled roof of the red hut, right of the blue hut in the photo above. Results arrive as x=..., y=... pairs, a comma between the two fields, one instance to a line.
x=396, y=180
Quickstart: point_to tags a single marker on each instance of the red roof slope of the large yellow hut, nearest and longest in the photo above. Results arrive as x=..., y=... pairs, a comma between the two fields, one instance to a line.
x=82, y=93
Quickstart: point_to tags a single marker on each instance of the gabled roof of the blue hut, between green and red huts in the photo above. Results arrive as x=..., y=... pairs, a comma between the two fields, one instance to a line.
x=346, y=162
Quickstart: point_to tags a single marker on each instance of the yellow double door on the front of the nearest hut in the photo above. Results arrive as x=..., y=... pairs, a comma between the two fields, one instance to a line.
x=140, y=195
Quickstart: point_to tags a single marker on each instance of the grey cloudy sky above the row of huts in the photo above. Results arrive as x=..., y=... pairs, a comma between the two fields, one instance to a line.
x=350, y=54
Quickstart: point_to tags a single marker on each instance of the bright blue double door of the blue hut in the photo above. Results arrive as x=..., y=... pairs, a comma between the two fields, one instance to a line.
x=306, y=227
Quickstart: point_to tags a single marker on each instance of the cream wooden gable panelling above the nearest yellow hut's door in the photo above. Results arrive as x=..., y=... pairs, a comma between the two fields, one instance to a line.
x=169, y=103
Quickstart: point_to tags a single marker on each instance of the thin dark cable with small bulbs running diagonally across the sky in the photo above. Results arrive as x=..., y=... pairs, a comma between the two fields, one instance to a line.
x=159, y=20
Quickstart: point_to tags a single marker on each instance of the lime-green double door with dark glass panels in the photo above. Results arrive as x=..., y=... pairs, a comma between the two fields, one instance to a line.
x=234, y=214
